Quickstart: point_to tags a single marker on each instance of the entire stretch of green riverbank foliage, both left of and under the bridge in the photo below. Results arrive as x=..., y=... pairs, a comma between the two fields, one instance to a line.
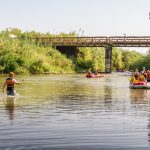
x=22, y=53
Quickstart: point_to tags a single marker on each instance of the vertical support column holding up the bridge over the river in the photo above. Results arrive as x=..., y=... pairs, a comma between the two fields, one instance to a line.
x=108, y=58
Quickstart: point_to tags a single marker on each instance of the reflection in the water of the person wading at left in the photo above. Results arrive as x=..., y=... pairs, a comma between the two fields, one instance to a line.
x=10, y=106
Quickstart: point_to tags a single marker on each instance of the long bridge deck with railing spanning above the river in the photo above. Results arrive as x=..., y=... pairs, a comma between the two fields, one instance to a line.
x=114, y=41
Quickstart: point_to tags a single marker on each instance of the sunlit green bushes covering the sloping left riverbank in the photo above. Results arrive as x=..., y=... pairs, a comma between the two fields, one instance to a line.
x=24, y=56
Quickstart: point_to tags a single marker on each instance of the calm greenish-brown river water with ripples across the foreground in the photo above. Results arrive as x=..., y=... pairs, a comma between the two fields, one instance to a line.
x=74, y=112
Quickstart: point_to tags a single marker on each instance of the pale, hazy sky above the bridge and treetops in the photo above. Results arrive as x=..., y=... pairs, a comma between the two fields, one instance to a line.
x=86, y=17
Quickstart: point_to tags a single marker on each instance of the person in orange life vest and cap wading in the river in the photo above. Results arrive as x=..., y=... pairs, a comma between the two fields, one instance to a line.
x=10, y=82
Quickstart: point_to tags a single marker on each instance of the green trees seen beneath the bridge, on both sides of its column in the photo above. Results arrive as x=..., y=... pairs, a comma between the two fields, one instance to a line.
x=95, y=58
